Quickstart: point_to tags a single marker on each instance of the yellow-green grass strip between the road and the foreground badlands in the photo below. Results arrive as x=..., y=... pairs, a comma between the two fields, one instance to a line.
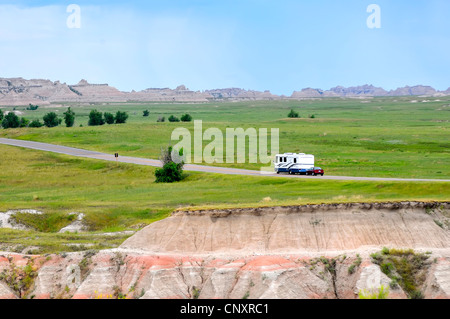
x=116, y=197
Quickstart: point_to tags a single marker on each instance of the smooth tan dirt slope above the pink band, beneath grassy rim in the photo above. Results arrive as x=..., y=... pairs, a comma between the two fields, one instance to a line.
x=297, y=229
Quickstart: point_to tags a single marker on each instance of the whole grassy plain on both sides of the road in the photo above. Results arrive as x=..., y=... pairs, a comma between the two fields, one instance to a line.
x=385, y=137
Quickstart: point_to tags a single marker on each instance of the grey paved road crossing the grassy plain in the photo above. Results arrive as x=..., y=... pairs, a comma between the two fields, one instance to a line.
x=188, y=167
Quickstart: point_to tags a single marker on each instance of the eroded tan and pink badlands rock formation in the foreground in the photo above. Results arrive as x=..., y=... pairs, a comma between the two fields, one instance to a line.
x=279, y=252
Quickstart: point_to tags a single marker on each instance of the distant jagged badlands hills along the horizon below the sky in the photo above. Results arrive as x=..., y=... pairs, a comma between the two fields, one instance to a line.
x=18, y=91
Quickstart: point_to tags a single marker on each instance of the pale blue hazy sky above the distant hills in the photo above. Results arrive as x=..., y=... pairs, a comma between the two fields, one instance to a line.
x=281, y=46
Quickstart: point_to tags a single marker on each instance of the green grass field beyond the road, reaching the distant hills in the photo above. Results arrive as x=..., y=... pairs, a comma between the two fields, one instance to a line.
x=387, y=137
